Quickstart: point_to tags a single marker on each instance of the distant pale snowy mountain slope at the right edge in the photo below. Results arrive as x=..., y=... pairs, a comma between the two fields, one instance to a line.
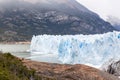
x=114, y=21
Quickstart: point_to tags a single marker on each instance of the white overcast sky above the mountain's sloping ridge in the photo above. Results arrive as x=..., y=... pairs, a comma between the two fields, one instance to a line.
x=103, y=7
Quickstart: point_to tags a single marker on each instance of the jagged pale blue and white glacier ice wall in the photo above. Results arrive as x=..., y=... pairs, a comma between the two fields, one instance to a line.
x=92, y=50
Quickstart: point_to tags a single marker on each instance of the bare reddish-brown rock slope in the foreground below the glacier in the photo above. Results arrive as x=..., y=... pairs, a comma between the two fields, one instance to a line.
x=68, y=72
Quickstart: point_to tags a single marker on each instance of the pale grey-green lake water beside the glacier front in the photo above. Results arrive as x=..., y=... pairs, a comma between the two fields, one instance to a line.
x=23, y=51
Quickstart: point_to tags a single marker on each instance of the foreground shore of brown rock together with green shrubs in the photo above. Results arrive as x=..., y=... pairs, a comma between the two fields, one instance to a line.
x=13, y=68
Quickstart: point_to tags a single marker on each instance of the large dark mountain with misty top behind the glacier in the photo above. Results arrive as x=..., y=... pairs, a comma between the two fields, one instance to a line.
x=20, y=19
